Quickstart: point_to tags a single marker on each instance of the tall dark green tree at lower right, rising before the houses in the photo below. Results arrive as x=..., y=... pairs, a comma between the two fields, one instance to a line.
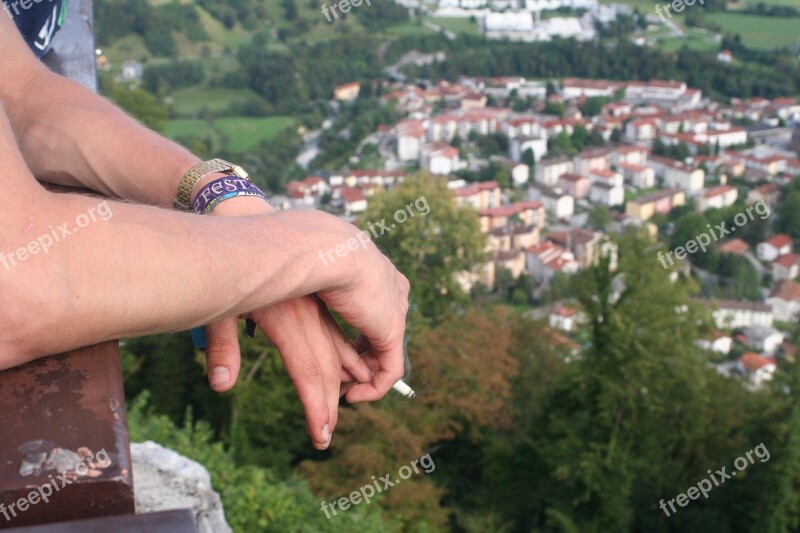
x=630, y=420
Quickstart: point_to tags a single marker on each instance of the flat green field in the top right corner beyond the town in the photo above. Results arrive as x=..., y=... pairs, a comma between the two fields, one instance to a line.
x=759, y=32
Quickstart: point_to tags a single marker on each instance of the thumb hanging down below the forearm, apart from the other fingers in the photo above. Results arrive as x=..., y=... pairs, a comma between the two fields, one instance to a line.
x=223, y=356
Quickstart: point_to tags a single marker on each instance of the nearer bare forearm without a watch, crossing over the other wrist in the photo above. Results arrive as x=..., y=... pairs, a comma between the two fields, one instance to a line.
x=138, y=269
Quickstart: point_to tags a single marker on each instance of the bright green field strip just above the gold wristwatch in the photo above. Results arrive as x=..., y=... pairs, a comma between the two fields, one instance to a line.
x=243, y=133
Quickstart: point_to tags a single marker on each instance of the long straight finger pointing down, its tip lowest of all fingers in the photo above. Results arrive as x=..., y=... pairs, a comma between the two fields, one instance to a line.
x=307, y=376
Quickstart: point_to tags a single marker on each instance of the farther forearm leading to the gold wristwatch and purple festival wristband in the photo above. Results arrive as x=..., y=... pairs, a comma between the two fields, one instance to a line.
x=71, y=136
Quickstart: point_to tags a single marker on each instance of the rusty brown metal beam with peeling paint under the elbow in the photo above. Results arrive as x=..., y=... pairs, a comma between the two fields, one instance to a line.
x=58, y=416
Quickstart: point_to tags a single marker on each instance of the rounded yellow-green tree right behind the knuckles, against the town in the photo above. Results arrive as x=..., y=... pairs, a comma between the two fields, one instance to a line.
x=431, y=247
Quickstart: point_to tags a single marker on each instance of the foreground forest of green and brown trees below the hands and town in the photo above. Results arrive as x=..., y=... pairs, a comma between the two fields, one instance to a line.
x=528, y=433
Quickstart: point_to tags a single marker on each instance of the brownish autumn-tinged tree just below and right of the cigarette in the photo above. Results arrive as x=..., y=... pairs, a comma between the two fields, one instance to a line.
x=462, y=371
